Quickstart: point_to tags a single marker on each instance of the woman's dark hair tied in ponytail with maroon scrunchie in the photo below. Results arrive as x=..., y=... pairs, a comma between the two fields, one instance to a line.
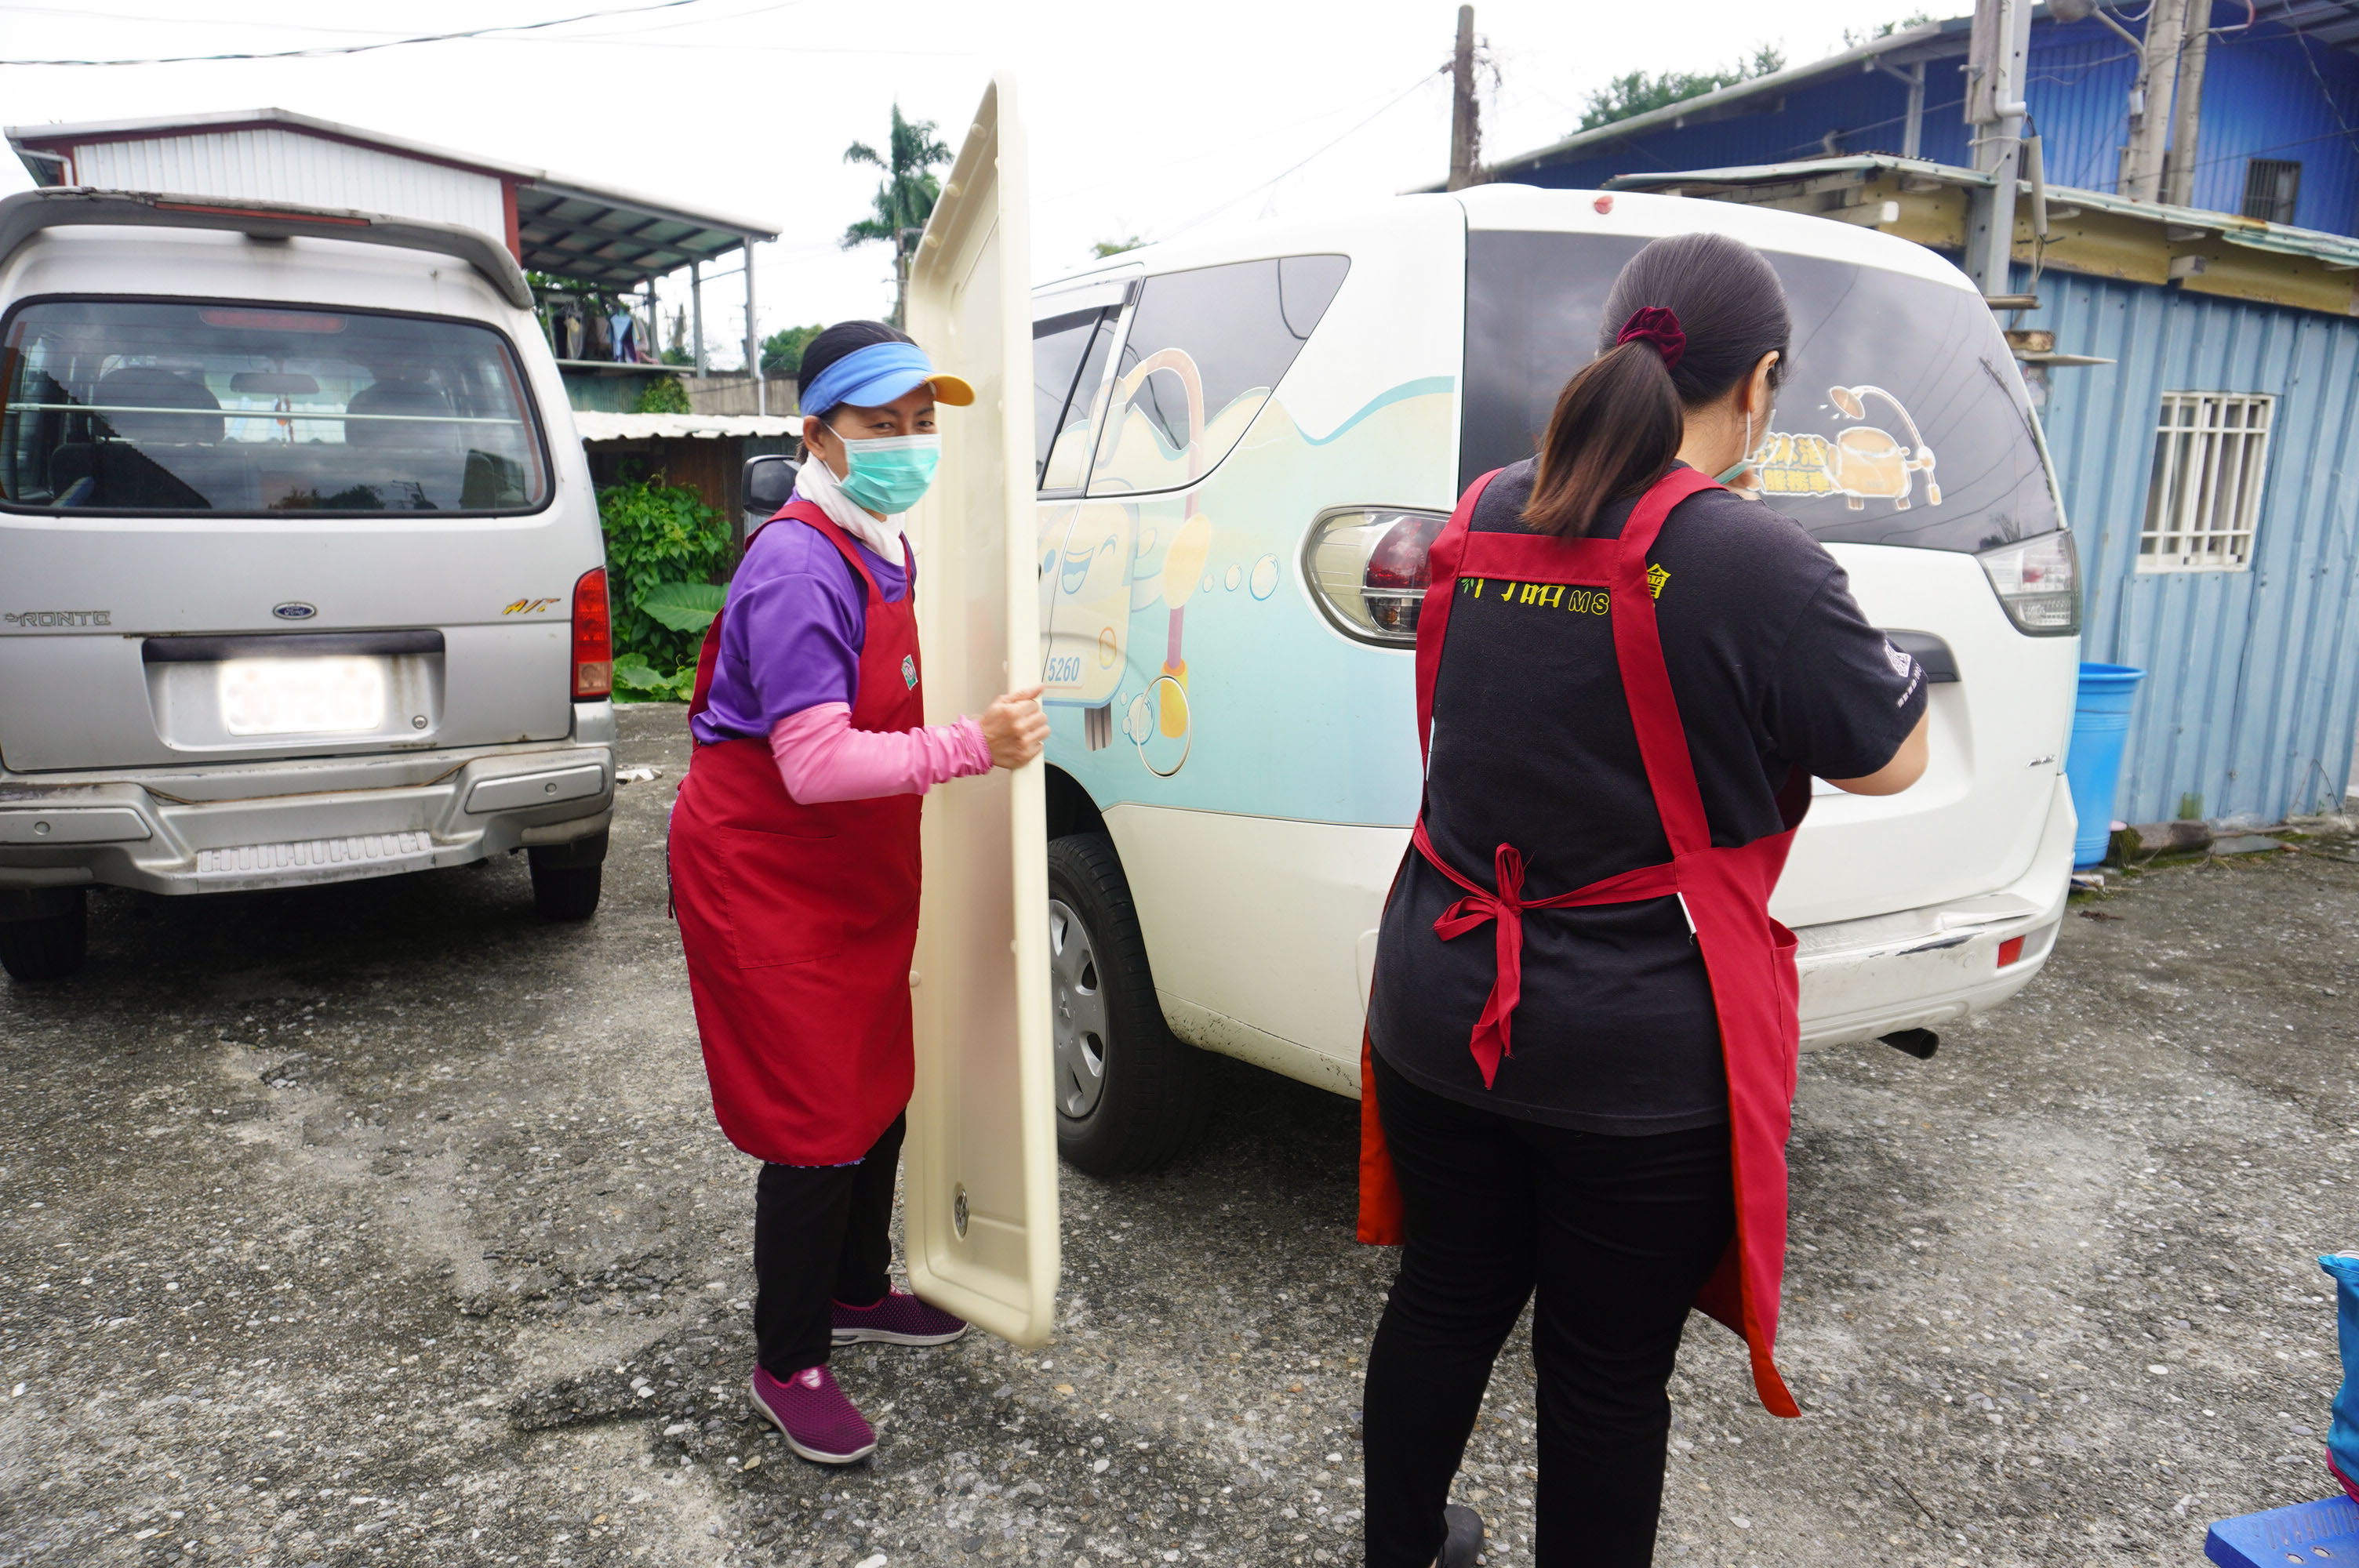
x=1686, y=322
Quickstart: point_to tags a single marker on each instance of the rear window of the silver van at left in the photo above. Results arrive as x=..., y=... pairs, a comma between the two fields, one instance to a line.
x=261, y=409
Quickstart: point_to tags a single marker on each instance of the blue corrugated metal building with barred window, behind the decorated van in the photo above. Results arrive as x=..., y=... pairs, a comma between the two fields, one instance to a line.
x=2207, y=461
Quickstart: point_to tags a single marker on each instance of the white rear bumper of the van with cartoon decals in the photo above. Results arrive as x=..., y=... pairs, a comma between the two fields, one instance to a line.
x=1936, y=966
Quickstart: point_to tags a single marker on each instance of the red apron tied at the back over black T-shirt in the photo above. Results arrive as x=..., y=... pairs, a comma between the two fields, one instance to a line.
x=1747, y=954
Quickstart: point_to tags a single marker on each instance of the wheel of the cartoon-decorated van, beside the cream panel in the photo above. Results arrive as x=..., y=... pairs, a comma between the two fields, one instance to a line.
x=1131, y=1095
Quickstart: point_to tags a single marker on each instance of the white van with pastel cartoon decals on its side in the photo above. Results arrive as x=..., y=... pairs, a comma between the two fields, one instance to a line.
x=1247, y=447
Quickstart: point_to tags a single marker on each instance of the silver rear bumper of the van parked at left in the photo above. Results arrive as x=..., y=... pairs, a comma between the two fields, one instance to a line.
x=303, y=822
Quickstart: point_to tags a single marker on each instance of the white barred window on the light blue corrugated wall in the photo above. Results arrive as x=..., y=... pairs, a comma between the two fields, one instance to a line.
x=2212, y=454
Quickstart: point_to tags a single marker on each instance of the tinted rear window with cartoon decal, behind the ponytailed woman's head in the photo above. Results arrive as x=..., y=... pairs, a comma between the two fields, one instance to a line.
x=1900, y=419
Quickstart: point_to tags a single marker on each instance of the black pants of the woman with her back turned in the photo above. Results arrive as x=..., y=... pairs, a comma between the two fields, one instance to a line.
x=1617, y=1234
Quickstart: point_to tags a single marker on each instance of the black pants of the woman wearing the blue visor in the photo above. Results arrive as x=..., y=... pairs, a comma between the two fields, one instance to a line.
x=822, y=1234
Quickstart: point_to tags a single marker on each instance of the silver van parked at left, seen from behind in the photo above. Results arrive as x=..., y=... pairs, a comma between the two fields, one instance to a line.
x=301, y=569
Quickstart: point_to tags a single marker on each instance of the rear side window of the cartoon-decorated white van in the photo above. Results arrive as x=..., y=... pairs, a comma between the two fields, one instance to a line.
x=1204, y=355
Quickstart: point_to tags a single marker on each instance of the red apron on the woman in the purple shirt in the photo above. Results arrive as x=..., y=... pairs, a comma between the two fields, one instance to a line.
x=801, y=921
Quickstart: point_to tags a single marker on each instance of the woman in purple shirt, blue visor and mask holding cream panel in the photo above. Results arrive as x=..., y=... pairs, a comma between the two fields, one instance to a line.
x=796, y=869
